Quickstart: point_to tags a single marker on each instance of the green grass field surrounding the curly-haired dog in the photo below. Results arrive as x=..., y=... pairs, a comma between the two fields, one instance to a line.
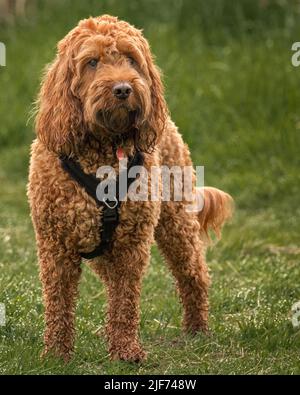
x=234, y=94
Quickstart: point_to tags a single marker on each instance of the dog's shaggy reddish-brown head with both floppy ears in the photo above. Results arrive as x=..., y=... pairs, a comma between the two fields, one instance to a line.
x=103, y=82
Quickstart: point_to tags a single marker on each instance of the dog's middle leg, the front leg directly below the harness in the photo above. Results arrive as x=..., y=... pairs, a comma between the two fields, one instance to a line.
x=123, y=282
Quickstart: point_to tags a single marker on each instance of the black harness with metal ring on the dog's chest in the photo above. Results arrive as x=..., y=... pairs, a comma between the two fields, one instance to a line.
x=110, y=212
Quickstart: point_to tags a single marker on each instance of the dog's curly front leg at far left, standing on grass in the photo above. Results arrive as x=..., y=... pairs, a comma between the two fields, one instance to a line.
x=59, y=273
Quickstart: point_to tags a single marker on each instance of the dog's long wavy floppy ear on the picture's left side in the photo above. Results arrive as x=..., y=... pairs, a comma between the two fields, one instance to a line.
x=59, y=121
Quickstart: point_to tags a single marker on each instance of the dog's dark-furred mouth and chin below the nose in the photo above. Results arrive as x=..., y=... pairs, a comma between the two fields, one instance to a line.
x=119, y=120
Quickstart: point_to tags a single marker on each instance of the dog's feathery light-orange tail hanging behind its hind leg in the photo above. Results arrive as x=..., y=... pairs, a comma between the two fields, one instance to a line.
x=217, y=209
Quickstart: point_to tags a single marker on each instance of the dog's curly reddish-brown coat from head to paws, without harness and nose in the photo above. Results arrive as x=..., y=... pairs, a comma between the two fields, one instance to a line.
x=78, y=116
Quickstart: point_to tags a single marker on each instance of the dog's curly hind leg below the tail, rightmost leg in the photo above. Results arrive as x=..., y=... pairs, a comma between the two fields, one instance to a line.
x=178, y=238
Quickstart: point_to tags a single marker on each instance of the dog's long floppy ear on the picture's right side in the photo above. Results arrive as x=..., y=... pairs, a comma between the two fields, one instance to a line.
x=158, y=115
